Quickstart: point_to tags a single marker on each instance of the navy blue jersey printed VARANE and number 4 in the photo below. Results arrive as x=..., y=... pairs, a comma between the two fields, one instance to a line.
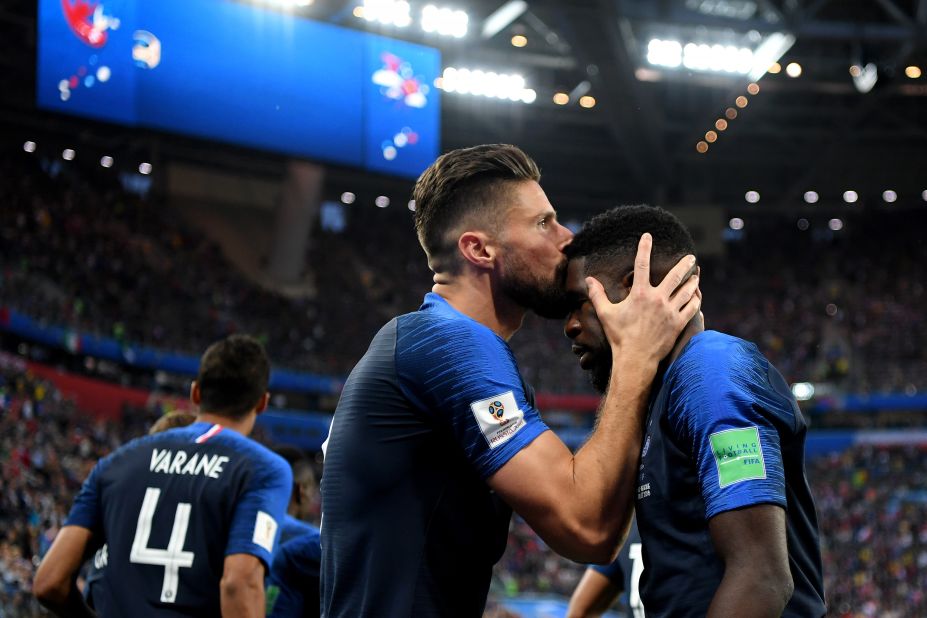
x=170, y=507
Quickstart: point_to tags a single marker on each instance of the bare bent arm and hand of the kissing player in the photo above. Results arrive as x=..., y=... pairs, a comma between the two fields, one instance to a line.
x=581, y=504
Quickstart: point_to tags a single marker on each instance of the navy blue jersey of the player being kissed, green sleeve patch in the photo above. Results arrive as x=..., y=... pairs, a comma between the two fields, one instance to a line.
x=723, y=432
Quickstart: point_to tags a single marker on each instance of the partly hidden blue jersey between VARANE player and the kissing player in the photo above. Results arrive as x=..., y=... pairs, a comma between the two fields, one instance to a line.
x=293, y=585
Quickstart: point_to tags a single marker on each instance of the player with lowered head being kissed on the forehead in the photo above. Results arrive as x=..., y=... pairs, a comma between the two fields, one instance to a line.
x=726, y=517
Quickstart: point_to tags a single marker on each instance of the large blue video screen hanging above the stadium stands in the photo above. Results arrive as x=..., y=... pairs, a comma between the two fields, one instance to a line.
x=242, y=74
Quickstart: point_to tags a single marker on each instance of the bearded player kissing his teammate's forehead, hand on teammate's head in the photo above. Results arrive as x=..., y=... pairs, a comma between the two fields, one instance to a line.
x=436, y=437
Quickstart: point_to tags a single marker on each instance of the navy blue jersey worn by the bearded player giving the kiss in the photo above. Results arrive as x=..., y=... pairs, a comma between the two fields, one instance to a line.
x=409, y=526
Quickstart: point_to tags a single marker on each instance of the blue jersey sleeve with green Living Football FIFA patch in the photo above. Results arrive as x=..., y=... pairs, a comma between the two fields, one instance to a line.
x=734, y=444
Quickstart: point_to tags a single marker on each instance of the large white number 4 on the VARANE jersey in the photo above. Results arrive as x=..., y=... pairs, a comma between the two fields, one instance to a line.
x=172, y=558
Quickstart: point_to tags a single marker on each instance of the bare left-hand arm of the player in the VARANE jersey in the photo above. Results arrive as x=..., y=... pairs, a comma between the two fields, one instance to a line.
x=54, y=584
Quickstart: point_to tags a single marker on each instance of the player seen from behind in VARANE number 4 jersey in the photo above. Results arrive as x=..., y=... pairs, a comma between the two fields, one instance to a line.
x=190, y=516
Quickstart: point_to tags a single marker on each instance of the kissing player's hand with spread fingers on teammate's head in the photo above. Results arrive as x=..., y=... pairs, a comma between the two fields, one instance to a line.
x=645, y=325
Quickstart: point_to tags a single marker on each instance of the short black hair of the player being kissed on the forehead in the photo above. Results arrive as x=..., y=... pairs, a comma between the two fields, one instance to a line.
x=611, y=238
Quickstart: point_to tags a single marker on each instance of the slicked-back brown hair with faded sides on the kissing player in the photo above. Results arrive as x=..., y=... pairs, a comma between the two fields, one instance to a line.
x=464, y=185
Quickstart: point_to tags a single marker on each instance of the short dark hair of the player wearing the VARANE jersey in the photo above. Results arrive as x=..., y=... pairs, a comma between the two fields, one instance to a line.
x=233, y=376
